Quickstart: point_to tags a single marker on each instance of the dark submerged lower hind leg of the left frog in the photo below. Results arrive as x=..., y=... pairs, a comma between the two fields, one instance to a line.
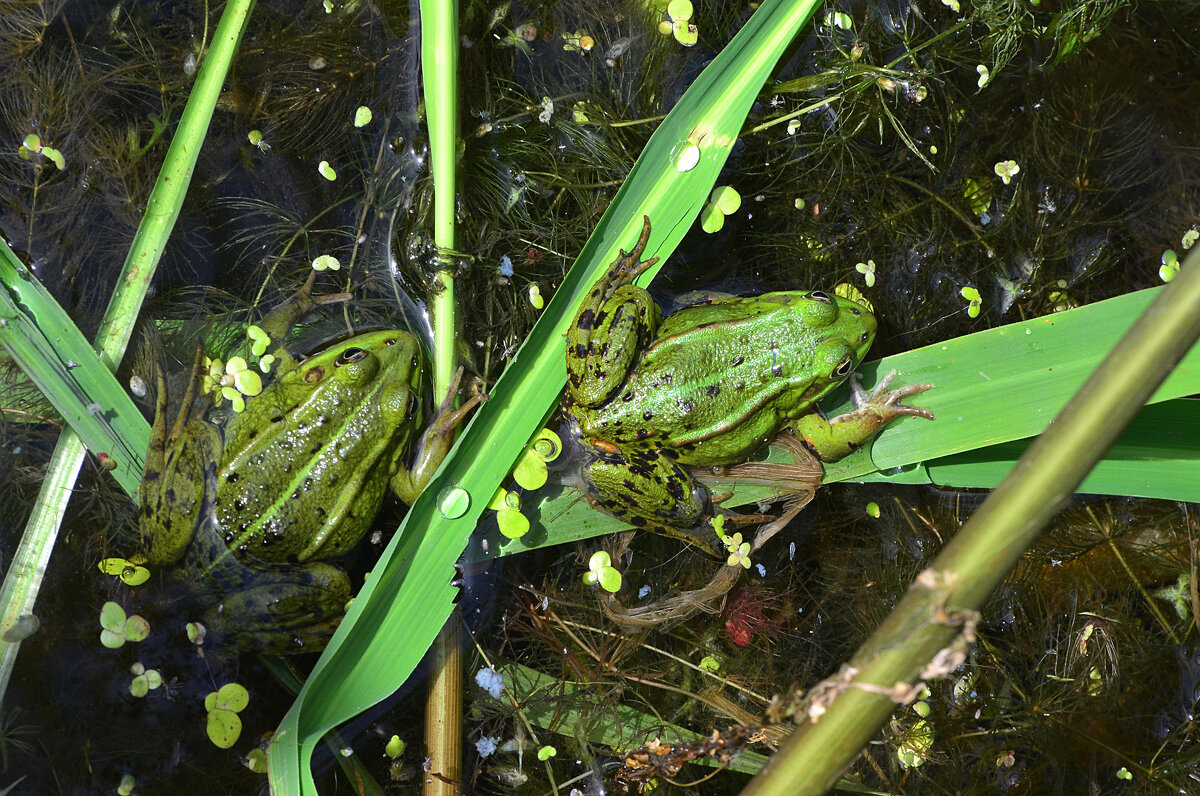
x=289, y=611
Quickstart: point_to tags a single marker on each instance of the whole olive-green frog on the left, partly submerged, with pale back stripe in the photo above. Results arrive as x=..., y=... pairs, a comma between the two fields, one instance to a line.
x=254, y=507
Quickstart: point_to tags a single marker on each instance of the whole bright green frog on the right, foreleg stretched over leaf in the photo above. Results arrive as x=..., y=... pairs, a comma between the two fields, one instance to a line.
x=707, y=388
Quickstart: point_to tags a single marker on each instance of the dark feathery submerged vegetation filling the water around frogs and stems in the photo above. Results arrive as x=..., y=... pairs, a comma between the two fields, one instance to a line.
x=963, y=165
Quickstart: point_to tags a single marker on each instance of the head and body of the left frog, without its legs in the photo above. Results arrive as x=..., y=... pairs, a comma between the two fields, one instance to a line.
x=304, y=475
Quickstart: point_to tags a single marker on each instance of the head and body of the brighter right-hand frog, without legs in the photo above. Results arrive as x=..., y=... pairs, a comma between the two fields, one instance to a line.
x=723, y=379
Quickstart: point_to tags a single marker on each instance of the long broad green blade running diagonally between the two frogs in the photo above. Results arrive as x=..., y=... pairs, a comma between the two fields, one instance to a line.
x=409, y=597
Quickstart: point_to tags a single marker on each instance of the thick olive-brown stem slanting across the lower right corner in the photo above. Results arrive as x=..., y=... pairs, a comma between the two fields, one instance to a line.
x=934, y=621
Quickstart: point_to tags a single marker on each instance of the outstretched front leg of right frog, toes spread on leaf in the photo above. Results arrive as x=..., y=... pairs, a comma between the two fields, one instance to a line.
x=837, y=438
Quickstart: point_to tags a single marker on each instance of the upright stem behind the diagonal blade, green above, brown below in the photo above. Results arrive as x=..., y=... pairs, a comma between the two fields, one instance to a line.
x=440, y=73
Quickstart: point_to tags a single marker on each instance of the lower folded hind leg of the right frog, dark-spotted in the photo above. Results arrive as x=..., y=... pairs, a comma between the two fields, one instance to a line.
x=650, y=490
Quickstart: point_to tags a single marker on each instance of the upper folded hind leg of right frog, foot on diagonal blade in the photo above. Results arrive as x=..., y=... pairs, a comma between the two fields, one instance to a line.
x=613, y=328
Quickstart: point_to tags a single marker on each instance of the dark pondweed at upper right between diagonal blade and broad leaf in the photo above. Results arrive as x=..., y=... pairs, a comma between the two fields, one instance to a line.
x=879, y=143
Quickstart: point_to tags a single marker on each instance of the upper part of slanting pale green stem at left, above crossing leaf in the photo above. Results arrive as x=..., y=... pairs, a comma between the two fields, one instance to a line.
x=167, y=199
